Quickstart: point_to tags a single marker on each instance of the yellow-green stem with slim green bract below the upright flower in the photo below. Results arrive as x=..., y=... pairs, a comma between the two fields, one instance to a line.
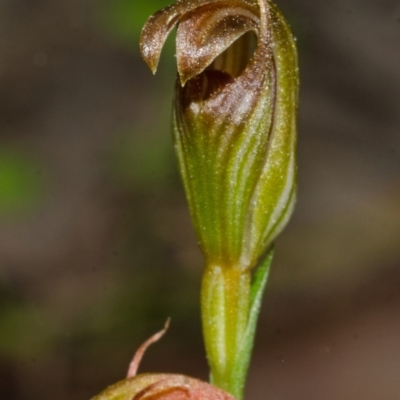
x=231, y=302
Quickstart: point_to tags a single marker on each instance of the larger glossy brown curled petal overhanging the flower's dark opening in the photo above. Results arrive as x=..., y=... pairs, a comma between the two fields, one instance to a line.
x=207, y=31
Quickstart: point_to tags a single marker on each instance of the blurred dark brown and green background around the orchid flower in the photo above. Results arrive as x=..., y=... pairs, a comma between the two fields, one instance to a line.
x=96, y=246
